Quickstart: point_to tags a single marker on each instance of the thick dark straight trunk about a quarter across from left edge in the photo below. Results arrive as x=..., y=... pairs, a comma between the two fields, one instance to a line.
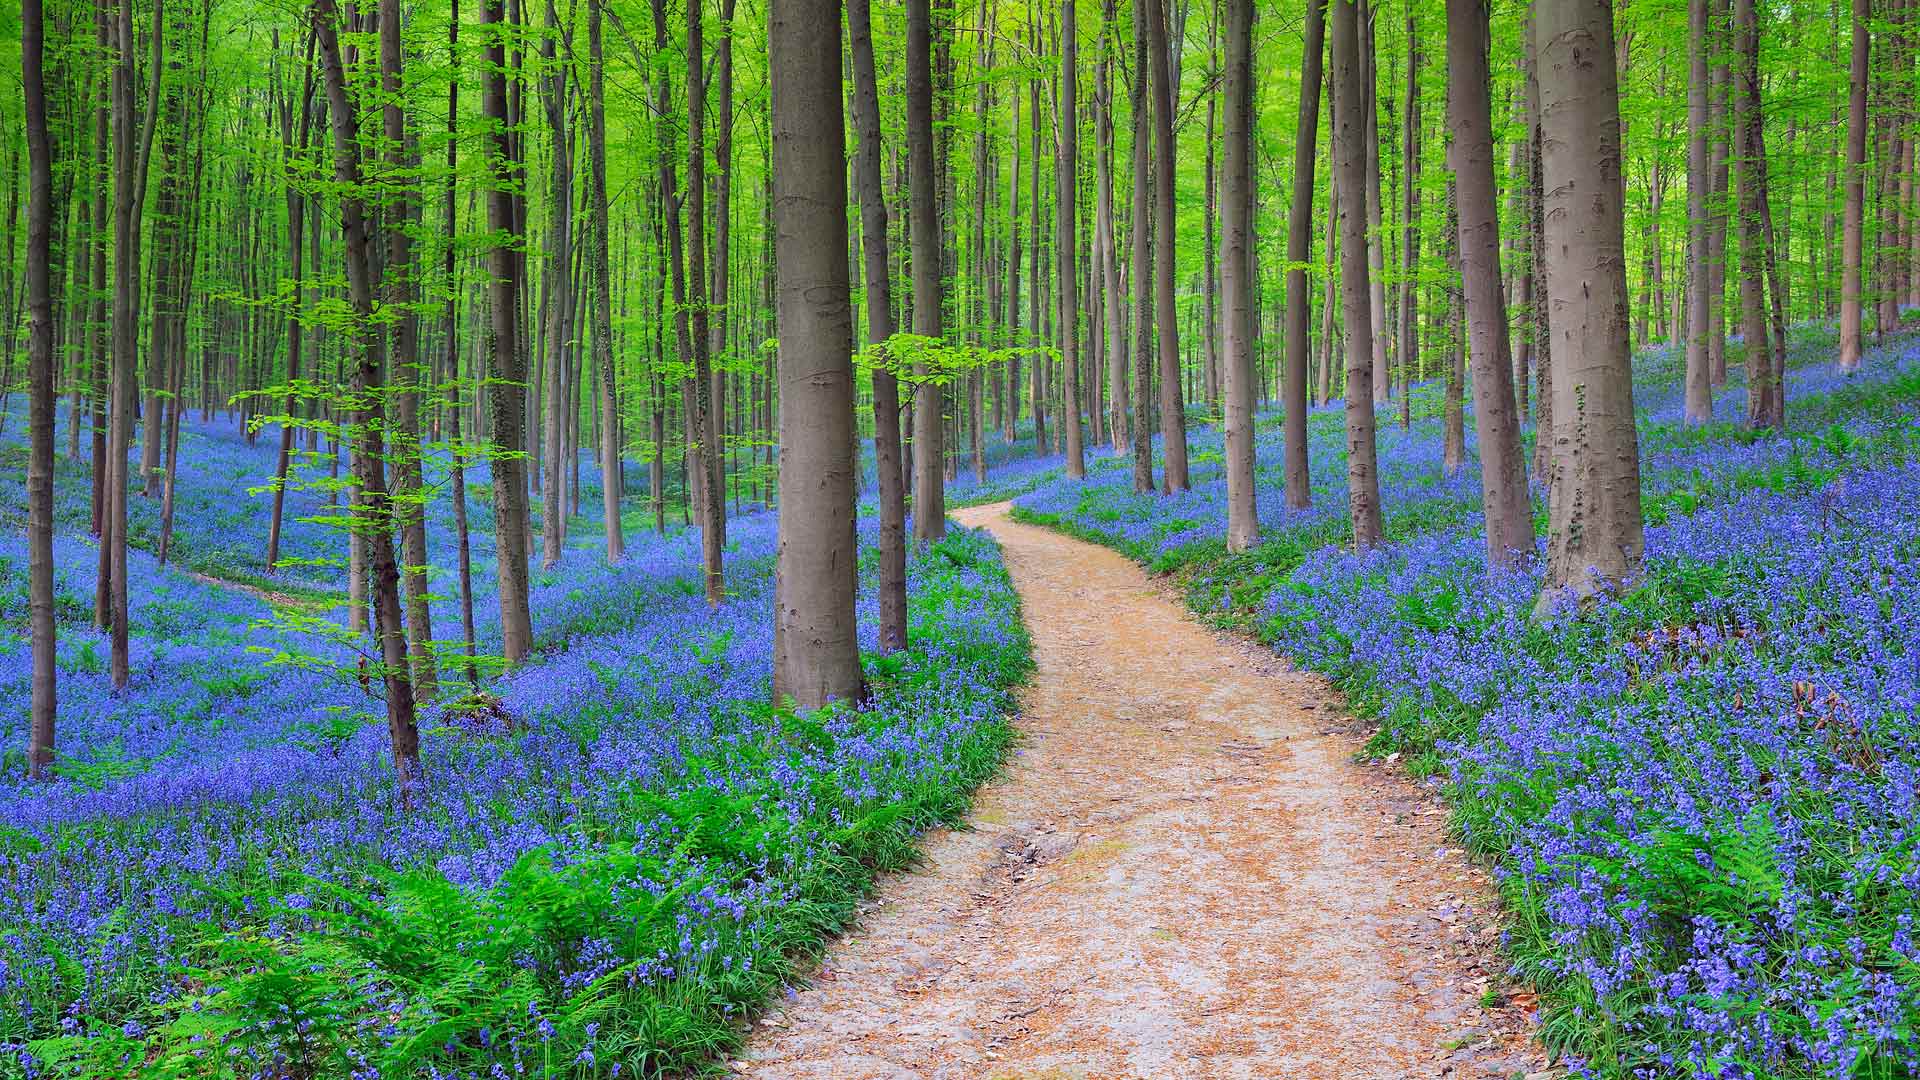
x=506, y=370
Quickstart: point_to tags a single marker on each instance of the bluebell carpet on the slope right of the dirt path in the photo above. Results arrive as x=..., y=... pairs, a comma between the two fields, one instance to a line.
x=1704, y=795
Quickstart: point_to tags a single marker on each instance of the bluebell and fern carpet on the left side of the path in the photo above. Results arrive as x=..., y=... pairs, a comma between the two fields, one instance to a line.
x=621, y=847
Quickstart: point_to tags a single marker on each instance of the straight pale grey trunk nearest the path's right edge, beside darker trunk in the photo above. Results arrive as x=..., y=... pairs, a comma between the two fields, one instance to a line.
x=1237, y=278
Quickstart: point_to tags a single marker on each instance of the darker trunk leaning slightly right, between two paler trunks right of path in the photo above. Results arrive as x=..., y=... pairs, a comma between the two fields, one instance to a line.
x=1299, y=237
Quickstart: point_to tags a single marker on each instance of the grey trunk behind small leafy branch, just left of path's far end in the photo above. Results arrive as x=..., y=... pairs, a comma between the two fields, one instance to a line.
x=930, y=406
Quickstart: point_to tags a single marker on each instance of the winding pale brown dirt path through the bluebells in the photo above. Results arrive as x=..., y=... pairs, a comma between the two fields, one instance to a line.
x=1182, y=875
